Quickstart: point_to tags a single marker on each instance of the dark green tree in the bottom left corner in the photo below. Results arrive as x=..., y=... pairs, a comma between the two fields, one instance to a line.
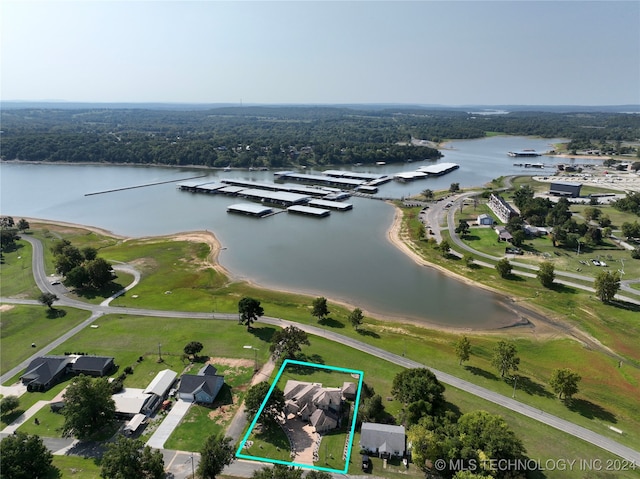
x=25, y=457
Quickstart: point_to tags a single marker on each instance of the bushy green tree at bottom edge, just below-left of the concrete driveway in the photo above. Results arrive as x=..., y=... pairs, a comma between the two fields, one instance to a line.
x=131, y=459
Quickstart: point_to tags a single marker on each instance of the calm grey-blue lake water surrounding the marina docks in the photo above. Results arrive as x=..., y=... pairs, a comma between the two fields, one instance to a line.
x=346, y=257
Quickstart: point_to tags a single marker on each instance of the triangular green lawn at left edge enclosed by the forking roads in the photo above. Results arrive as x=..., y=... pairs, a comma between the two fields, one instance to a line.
x=23, y=325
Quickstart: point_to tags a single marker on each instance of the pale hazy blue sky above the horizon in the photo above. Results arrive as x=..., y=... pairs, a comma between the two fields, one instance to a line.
x=322, y=52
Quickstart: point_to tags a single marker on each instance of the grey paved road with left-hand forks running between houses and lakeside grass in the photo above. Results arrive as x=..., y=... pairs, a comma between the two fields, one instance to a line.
x=509, y=403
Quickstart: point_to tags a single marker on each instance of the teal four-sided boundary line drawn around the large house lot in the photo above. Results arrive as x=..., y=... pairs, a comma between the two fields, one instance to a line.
x=239, y=453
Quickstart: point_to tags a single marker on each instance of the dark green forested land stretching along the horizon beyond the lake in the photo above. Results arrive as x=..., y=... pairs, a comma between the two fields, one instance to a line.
x=270, y=136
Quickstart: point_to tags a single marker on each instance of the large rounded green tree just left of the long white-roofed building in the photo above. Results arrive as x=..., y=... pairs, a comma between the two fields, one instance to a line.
x=88, y=406
